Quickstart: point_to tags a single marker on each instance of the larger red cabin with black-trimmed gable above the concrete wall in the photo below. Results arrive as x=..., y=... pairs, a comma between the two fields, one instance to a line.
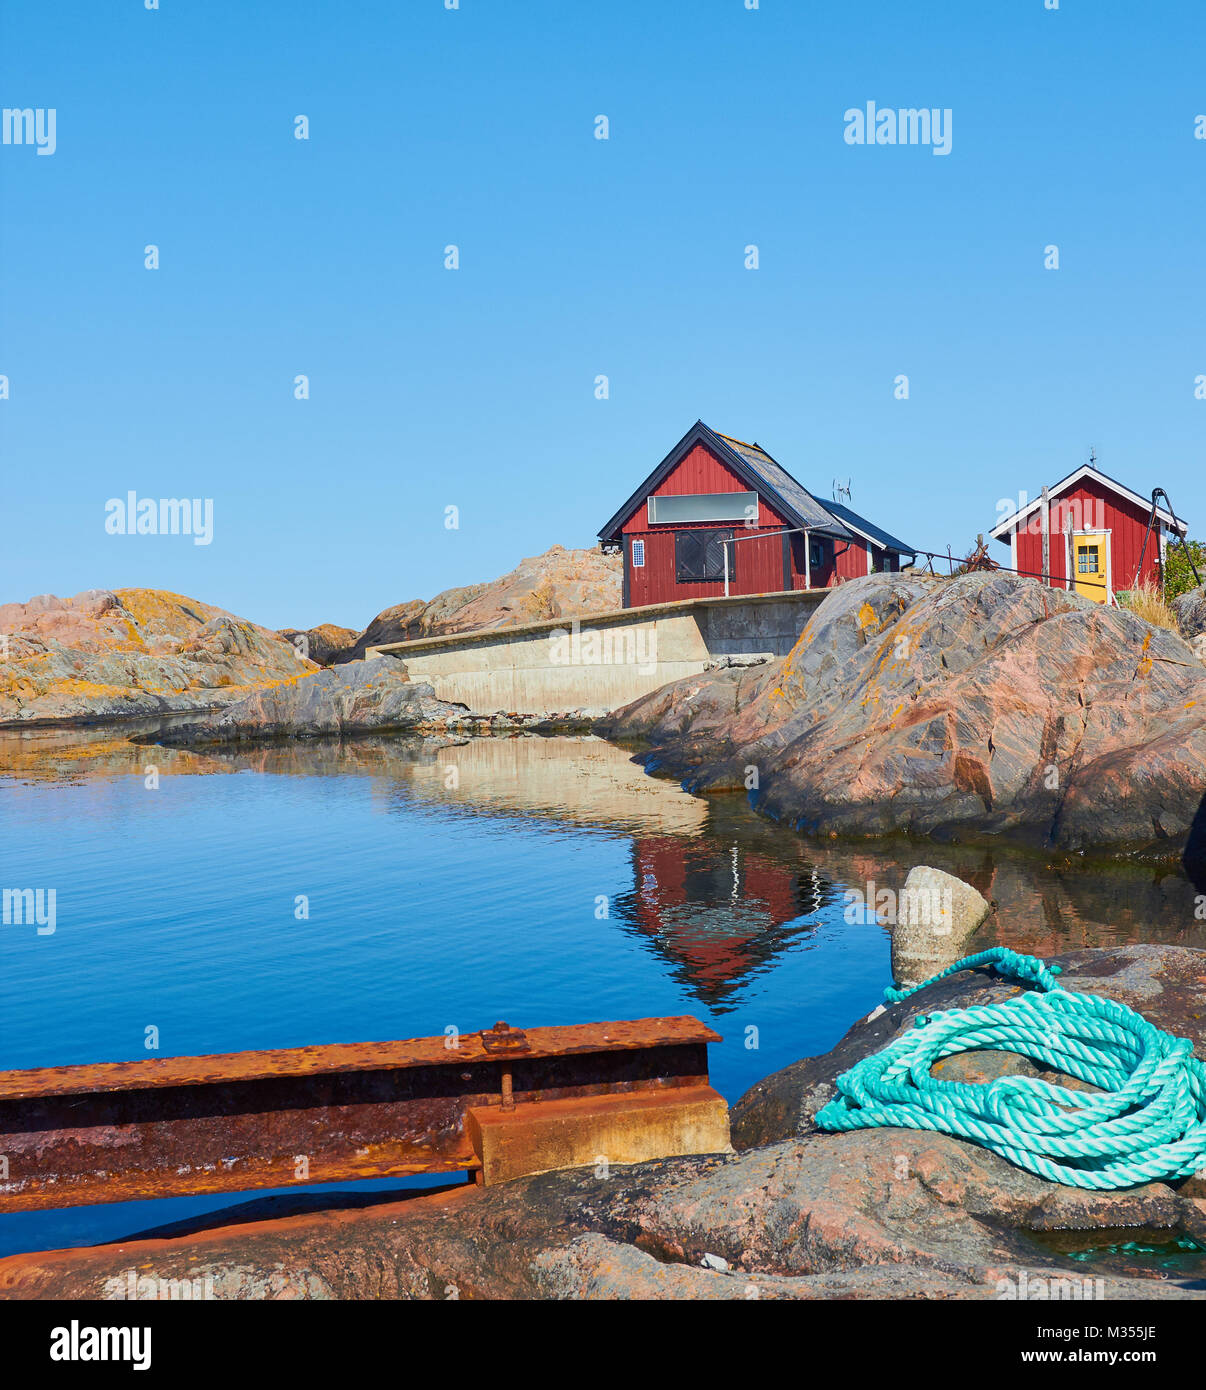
x=720, y=516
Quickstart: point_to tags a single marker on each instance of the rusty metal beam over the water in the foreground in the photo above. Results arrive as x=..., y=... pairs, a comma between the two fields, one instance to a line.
x=174, y=1127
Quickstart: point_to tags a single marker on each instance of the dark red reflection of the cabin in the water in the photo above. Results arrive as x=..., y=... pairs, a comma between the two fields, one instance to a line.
x=719, y=915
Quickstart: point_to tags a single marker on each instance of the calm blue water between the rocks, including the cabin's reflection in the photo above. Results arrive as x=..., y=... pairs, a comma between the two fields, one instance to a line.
x=534, y=881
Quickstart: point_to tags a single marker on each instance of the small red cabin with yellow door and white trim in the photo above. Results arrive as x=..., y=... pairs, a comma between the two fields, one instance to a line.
x=1096, y=530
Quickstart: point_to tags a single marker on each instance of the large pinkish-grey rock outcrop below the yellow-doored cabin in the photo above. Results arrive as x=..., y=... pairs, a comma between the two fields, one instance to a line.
x=984, y=705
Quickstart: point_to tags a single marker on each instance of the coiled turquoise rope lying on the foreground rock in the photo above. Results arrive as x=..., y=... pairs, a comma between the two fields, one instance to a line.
x=1147, y=1121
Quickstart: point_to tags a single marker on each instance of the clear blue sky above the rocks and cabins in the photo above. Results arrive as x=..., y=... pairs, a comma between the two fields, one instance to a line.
x=476, y=389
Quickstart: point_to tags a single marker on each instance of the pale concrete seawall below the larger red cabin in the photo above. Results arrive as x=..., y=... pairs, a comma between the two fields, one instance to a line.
x=597, y=665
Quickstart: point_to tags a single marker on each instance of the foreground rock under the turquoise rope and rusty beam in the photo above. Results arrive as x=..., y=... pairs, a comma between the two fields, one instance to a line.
x=793, y=1213
